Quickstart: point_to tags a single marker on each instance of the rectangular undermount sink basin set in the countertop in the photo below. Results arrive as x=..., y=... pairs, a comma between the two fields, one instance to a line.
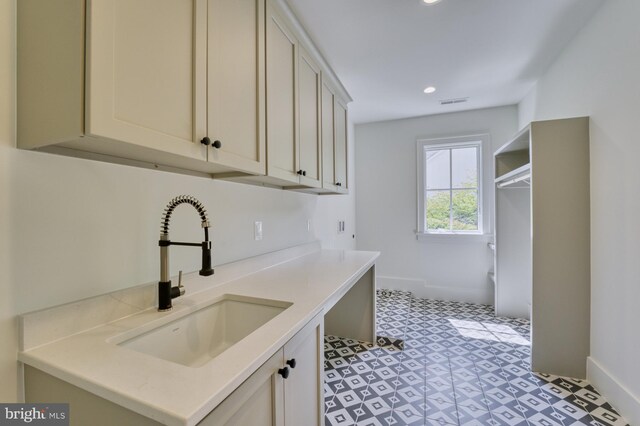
x=197, y=338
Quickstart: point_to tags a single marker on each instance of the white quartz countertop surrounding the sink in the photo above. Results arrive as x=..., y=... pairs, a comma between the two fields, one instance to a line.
x=174, y=394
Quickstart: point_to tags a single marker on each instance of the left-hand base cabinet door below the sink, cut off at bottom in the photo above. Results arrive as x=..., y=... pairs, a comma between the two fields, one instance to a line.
x=257, y=402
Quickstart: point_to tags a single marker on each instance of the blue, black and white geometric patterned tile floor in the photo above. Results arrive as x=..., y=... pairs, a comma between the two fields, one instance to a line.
x=459, y=365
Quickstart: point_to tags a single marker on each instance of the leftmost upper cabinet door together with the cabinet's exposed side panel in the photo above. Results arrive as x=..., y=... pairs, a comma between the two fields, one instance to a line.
x=120, y=77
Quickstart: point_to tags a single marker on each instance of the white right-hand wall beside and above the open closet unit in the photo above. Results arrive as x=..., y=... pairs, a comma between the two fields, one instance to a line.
x=597, y=76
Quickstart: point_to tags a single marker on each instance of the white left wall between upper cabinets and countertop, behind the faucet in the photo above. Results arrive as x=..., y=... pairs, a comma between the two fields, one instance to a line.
x=73, y=228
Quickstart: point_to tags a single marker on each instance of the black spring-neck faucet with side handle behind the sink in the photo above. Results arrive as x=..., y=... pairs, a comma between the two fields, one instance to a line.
x=165, y=292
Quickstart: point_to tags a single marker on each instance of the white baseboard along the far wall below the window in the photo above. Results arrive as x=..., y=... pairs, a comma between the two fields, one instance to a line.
x=421, y=289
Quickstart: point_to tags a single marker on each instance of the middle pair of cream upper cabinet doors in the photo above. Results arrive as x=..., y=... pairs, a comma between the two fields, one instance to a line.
x=293, y=108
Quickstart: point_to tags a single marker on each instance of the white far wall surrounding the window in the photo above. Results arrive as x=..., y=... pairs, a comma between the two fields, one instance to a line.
x=442, y=268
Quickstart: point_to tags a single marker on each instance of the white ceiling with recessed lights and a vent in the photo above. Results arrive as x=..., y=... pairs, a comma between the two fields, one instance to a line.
x=386, y=52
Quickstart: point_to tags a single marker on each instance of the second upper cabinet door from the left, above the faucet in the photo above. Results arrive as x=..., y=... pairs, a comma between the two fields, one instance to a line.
x=236, y=92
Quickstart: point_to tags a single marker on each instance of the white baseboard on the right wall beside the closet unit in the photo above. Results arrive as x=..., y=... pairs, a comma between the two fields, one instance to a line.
x=616, y=393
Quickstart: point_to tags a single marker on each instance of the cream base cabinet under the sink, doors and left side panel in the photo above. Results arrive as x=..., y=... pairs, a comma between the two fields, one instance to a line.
x=266, y=398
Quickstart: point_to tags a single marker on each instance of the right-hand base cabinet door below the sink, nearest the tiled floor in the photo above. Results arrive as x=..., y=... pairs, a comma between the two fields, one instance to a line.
x=303, y=390
